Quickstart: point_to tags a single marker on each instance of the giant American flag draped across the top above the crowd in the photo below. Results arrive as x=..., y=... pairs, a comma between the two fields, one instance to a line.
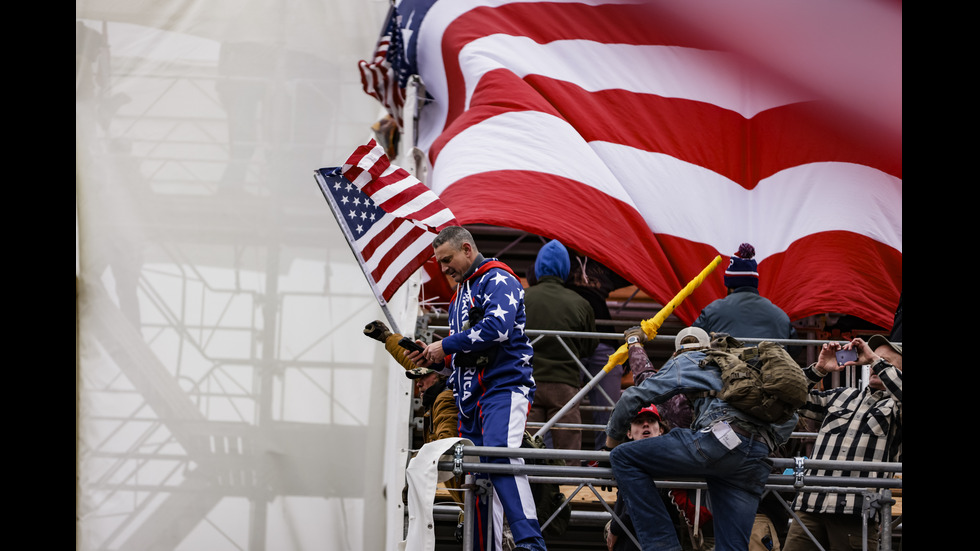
x=652, y=144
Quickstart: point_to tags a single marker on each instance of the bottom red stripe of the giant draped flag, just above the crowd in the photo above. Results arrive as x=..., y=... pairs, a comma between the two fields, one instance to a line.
x=812, y=263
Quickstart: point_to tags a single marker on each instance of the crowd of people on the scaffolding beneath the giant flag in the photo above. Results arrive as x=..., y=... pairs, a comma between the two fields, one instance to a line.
x=487, y=379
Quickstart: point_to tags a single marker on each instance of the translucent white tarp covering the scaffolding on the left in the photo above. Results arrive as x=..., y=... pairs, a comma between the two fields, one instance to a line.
x=227, y=398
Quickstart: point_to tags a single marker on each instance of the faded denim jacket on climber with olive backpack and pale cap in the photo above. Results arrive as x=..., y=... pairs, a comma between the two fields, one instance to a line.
x=683, y=374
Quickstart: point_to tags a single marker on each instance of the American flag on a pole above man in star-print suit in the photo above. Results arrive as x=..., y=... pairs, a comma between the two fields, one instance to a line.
x=388, y=216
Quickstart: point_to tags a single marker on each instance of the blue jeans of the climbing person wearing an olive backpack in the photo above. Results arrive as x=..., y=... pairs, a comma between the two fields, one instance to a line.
x=736, y=480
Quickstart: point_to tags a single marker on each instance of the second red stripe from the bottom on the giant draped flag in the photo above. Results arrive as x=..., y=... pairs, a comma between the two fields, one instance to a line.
x=696, y=132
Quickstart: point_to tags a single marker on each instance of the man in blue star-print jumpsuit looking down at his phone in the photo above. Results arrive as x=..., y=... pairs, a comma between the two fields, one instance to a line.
x=490, y=357
